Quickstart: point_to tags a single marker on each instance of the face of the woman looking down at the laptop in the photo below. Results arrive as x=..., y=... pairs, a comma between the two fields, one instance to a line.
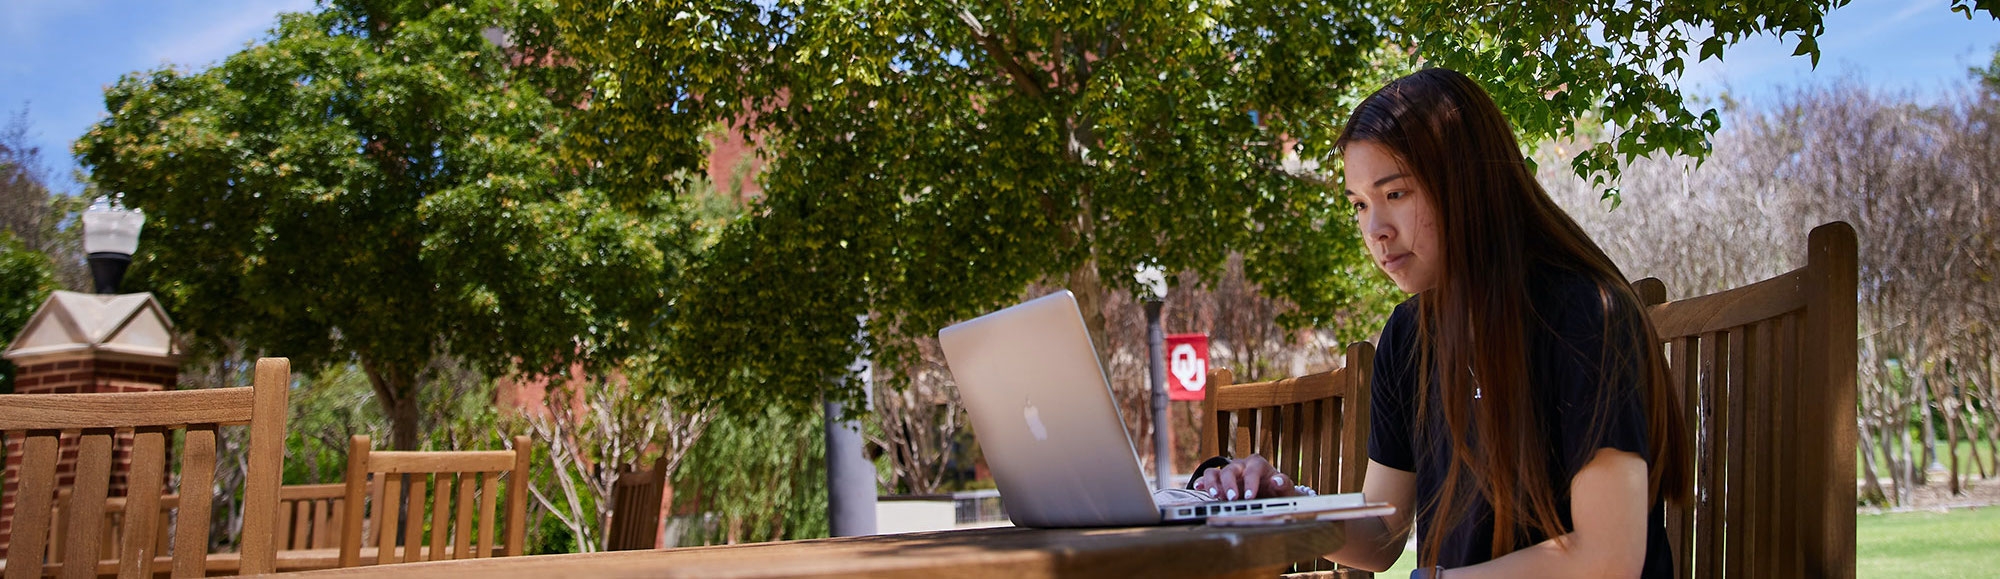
x=1395, y=215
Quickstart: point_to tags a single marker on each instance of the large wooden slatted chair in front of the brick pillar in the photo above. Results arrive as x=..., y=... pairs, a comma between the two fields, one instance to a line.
x=41, y=420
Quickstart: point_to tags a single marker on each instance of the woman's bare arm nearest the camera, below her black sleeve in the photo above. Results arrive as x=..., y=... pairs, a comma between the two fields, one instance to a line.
x=1609, y=508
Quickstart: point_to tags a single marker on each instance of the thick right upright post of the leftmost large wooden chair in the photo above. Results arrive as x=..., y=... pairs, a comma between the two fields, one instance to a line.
x=265, y=466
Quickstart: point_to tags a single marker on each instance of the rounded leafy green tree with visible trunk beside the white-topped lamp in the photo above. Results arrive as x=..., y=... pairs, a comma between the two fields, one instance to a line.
x=375, y=185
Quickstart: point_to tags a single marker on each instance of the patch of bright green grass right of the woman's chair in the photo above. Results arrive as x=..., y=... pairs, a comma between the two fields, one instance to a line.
x=1959, y=544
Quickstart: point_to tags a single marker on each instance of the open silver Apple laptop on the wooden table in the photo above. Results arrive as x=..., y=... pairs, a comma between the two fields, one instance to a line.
x=1045, y=418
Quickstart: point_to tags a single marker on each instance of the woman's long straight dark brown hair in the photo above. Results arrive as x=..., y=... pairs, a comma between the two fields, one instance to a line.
x=1497, y=223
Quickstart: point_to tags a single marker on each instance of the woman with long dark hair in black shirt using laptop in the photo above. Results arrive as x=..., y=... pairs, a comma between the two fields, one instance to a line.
x=1523, y=422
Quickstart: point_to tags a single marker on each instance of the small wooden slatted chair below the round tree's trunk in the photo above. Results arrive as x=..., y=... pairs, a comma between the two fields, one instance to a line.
x=379, y=480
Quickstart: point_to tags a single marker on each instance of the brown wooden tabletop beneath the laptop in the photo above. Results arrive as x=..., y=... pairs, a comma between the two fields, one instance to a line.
x=1001, y=552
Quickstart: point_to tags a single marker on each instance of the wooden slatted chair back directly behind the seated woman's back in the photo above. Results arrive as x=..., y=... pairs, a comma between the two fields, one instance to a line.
x=1767, y=372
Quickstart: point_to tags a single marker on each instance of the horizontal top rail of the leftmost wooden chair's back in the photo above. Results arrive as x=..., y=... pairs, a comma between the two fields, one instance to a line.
x=127, y=410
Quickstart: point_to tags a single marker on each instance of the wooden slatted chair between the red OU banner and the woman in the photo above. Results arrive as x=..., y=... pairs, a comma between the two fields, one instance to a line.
x=1313, y=428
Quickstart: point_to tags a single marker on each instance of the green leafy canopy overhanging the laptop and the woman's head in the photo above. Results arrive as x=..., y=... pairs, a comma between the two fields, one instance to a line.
x=933, y=159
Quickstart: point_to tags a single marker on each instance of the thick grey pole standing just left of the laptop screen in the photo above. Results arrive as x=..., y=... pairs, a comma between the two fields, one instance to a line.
x=851, y=492
